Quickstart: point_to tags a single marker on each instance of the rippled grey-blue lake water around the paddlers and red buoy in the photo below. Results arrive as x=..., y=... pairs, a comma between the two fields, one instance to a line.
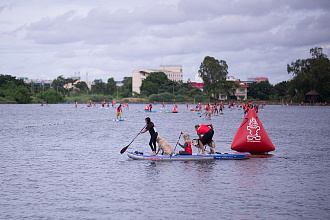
x=59, y=162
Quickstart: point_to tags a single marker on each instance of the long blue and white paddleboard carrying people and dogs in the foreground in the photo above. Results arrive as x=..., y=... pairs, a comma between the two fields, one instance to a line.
x=220, y=156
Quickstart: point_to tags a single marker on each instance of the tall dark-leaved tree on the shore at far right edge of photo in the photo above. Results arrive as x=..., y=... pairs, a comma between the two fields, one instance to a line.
x=310, y=74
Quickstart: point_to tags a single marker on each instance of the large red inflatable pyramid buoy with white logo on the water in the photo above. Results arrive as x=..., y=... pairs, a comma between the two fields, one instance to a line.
x=251, y=136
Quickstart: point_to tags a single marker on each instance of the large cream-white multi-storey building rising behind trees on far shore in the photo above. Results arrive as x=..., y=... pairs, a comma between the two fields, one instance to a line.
x=173, y=73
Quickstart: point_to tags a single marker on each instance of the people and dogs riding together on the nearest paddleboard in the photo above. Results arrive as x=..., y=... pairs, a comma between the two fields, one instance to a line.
x=205, y=133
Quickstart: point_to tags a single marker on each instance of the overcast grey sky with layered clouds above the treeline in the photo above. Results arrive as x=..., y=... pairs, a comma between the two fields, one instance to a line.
x=257, y=38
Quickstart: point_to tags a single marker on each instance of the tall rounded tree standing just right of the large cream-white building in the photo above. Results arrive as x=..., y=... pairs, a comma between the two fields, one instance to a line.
x=213, y=72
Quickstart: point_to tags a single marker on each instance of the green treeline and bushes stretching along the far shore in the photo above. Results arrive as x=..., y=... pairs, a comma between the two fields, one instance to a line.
x=312, y=74
